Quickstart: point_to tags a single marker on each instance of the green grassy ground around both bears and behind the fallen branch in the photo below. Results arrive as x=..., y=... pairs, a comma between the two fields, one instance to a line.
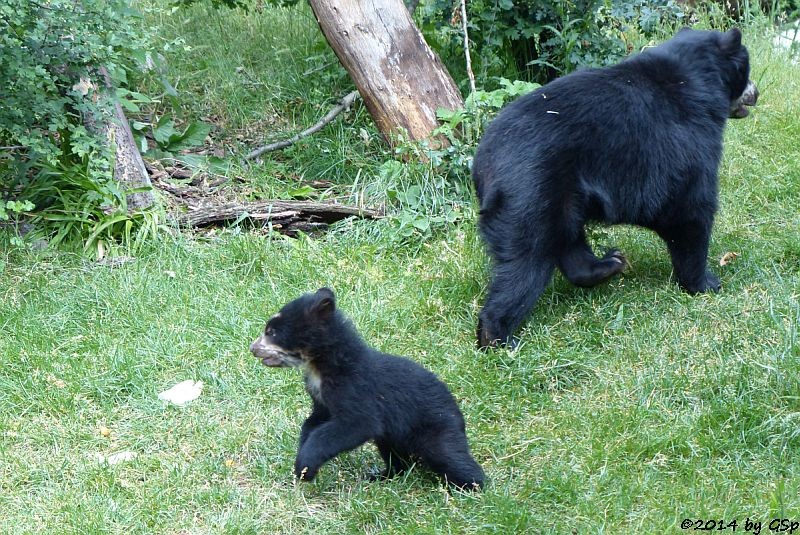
x=627, y=408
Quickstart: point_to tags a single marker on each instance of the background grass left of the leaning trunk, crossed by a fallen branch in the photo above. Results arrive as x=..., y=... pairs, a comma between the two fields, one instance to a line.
x=264, y=76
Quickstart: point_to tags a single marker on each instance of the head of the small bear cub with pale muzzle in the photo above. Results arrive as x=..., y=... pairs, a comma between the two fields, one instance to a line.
x=290, y=336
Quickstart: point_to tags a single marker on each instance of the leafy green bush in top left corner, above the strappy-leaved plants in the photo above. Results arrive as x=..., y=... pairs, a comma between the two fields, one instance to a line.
x=49, y=50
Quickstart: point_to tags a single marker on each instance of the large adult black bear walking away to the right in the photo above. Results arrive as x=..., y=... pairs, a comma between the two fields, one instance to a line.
x=639, y=143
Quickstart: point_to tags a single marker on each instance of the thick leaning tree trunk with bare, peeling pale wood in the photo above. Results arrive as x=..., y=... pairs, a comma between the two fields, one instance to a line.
x=402, y=81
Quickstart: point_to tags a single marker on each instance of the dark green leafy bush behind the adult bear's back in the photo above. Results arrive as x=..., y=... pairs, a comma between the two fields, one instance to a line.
x=538, y=39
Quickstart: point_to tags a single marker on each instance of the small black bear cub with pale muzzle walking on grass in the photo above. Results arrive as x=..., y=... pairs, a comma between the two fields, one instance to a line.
x=360, y=394
